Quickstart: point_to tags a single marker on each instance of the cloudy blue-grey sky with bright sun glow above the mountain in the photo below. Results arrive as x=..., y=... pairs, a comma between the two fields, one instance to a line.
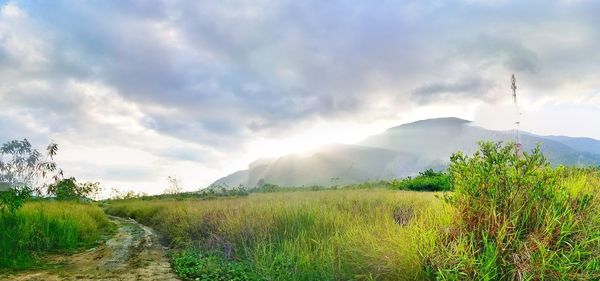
x=136, y=91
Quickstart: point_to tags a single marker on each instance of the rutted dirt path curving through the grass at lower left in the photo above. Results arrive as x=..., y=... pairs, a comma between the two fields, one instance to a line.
x=133, y=253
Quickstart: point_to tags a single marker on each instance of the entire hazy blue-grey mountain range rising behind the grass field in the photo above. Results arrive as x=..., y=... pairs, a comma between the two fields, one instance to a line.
x=402, y=151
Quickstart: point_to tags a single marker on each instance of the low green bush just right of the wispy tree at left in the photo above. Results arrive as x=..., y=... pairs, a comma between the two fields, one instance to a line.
x=69, y=189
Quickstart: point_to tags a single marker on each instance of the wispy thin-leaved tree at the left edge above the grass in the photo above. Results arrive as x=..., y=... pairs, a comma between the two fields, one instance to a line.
x=22, y=171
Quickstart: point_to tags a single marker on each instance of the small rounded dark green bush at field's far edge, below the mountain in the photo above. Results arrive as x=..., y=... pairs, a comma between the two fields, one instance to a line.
x=427, y=180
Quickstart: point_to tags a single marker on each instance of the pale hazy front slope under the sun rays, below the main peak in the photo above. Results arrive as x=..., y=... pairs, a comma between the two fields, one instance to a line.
x=332, y=164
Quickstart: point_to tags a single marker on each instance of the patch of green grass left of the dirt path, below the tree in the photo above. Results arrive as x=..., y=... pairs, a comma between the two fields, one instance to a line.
x=46, y=226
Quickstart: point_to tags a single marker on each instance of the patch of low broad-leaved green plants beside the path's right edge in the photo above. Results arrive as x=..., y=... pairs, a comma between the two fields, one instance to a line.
x=191, y=265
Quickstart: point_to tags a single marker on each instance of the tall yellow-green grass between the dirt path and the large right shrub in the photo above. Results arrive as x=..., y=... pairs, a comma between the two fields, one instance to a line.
x=324, y=235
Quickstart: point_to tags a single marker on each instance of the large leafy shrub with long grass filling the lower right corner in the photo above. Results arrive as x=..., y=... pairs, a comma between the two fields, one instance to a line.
x=518, y=219
